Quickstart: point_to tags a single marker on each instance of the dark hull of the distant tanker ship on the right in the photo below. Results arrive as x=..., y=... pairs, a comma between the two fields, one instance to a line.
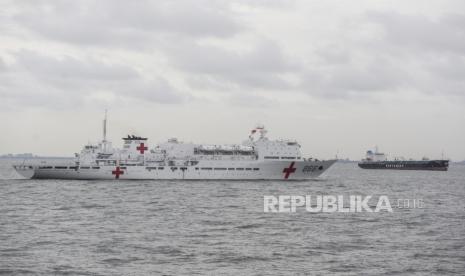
x=427, y=165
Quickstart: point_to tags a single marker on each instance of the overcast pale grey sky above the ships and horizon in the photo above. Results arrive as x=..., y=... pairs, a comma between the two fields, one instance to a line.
x=338, y=76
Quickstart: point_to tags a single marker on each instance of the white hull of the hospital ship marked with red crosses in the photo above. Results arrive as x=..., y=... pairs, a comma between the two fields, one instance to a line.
x=258, y=170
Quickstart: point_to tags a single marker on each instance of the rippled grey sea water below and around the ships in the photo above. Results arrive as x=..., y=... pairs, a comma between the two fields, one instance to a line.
x=118, y=227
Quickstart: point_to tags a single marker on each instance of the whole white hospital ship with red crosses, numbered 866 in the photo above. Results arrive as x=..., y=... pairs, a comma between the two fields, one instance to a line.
x=256, y=158
